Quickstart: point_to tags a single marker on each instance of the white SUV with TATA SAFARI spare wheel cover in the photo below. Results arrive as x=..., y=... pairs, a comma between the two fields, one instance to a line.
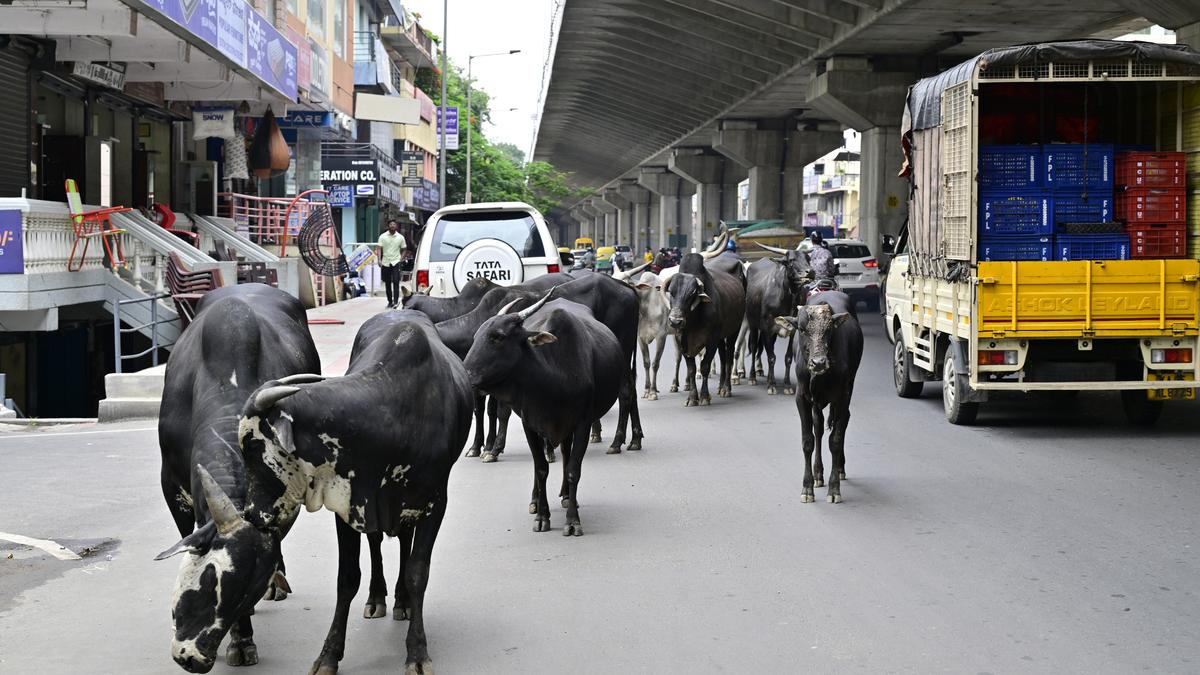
x=506, y=242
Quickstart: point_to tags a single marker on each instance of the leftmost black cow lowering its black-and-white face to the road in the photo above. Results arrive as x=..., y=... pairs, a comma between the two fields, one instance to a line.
x=242, y=337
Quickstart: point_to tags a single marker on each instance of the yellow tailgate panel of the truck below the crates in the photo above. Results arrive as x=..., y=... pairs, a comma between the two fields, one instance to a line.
x=1085, y=300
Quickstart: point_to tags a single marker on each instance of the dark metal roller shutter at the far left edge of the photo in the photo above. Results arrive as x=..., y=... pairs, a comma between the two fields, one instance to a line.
x=14, y=123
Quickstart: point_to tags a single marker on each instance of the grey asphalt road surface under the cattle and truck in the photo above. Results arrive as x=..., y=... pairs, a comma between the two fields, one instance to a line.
x=1051, y=537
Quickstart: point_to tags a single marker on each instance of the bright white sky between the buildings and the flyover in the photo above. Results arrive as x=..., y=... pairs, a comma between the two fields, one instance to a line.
x=484, y=27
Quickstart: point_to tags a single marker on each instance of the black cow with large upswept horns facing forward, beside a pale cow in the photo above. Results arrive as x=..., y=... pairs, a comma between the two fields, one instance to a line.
x=707, y=306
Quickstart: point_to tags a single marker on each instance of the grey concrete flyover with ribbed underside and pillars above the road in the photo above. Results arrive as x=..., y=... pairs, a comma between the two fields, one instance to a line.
x=713, y=92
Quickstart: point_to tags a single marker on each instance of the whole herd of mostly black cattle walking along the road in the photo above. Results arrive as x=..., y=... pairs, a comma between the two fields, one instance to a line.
x=250, y=433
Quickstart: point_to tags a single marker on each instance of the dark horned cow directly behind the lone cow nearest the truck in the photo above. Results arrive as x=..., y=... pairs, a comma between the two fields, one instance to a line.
x=773, y=288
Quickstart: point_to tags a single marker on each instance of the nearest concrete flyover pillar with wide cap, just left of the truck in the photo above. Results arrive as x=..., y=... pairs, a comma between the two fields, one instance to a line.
x=871, y=103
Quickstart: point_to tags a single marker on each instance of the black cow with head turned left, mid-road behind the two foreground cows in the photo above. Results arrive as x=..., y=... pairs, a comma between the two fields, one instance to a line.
x=560, y=369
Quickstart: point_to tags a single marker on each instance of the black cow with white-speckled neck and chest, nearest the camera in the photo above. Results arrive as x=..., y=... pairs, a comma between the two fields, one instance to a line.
x=375, y=447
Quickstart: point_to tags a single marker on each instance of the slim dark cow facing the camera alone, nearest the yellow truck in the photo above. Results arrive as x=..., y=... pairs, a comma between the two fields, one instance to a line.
x=829, y=345
